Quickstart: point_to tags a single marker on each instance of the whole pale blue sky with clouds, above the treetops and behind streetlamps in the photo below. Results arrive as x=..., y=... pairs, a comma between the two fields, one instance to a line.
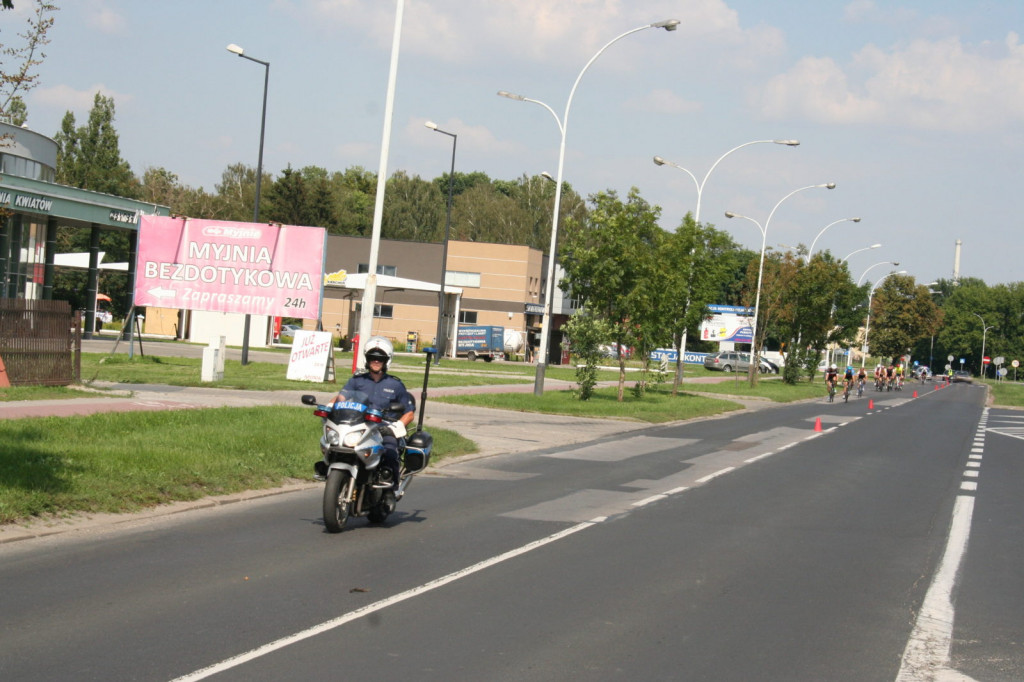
x=914, y=109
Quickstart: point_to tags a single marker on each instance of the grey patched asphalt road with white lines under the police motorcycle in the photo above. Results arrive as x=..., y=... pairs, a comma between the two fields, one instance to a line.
x=747, y=548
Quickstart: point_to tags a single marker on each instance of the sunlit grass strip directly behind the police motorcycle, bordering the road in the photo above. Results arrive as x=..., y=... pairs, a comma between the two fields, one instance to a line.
x=125, y=462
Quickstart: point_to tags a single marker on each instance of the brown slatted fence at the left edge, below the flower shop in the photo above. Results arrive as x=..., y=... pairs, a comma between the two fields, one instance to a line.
x=40, y=343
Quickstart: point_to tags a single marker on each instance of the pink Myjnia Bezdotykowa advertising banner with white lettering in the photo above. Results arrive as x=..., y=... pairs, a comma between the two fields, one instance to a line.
x=223, y=267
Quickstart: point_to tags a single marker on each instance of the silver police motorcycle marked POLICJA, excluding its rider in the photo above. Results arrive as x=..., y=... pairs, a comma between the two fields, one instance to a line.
x=352, y=444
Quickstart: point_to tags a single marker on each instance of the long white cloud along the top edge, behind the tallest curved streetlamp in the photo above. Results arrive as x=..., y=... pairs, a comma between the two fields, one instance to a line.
x=567, y=32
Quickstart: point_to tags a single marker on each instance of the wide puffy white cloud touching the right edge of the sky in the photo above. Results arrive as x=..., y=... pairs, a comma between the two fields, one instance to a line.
x=935, y=86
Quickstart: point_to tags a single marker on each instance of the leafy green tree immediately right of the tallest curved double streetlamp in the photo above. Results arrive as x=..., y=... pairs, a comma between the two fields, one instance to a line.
x=612, y=266
